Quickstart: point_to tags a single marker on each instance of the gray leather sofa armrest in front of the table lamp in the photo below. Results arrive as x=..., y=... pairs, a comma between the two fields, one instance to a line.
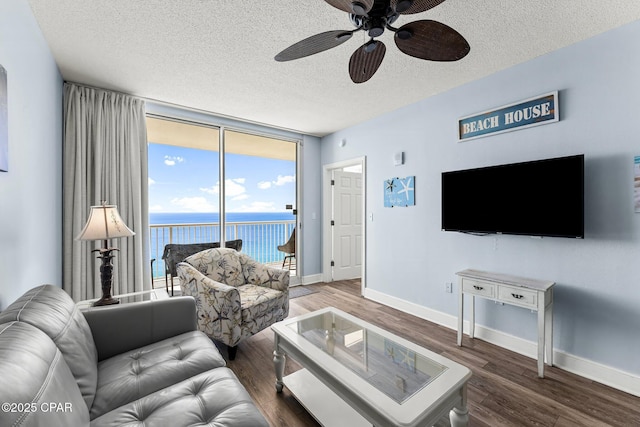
x=120, y=328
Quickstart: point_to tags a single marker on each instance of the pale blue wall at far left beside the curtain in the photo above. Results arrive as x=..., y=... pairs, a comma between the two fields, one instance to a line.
x=31, y=192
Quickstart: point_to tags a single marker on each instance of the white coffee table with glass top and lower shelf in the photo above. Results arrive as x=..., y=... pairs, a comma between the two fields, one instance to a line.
x=356, y=373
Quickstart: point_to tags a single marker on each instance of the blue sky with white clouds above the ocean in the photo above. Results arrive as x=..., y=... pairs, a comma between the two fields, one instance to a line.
x=186, y=180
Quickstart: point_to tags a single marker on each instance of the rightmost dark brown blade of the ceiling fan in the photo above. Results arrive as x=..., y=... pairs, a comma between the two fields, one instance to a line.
x=431, y=40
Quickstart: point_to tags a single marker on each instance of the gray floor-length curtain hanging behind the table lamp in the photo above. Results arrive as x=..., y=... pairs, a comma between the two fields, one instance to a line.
x=105, y=158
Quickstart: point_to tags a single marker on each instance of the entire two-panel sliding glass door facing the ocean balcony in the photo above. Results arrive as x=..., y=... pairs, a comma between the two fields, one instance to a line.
x=197, y=195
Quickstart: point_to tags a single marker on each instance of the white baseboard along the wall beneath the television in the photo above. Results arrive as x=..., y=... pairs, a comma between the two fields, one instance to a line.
x=603, y=374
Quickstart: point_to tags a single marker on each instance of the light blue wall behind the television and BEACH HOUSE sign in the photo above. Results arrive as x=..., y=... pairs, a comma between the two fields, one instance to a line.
x=598, y=278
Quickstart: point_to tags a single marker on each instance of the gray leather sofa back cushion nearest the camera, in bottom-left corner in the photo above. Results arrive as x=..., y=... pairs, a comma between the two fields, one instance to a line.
x=36, y=382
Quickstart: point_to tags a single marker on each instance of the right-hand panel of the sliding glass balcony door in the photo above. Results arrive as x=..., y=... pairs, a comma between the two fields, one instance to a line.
x=260, y=196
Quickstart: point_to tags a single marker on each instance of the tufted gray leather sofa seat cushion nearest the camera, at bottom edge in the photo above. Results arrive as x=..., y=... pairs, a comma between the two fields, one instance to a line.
x=213, y=398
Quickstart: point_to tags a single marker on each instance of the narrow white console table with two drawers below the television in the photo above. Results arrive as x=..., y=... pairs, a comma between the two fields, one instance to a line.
x=536, y=295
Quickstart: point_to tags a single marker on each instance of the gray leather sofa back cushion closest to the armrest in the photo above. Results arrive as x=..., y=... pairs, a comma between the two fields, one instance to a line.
x=52, y=310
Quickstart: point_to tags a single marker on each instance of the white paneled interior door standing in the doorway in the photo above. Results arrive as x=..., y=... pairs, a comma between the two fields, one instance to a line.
x=347, y=225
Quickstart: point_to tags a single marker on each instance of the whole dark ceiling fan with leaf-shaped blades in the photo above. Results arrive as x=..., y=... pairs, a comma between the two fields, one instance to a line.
x=424, y=39
